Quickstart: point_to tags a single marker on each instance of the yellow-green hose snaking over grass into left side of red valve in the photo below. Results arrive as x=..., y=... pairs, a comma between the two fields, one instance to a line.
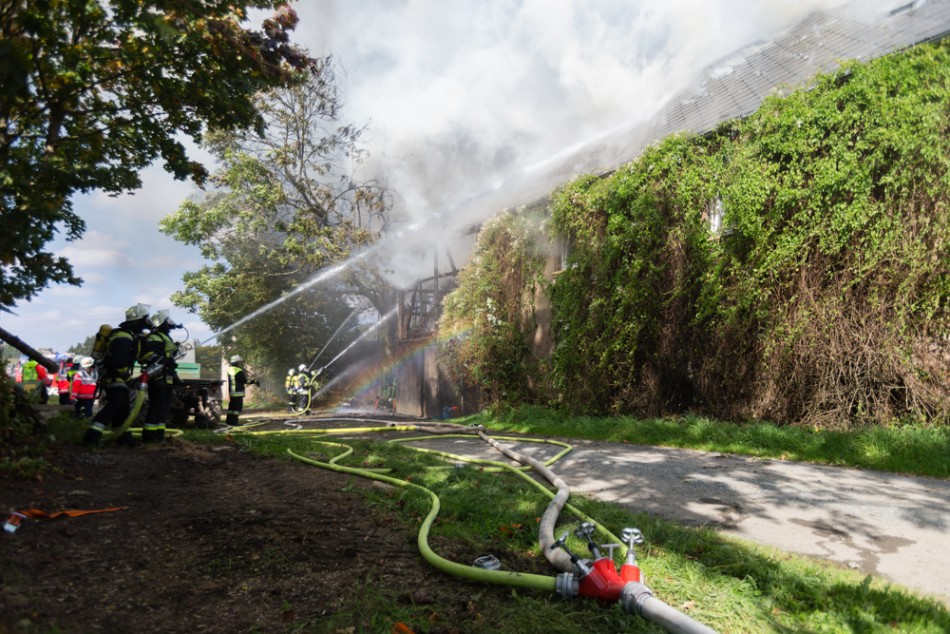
x=521, y=580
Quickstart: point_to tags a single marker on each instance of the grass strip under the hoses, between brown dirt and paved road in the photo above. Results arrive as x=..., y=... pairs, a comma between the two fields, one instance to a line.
x=730, y=585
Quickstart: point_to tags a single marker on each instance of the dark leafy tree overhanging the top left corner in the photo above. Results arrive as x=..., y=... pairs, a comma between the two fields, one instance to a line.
x=94, y=91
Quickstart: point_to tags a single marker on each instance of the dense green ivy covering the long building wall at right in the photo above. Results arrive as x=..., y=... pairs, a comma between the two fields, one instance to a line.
x=822, y=298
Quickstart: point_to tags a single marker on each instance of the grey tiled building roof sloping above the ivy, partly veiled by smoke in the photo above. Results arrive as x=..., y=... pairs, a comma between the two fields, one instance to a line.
x=735, y=85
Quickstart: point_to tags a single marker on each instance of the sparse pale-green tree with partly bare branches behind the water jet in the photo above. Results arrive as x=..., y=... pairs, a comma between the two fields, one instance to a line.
x=280, y=209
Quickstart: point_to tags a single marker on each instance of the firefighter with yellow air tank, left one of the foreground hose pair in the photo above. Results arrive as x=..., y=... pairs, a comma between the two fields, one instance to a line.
x=122, y=351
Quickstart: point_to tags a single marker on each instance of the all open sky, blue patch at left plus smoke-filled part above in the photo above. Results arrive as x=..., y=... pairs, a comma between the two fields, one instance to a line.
x=462, y=101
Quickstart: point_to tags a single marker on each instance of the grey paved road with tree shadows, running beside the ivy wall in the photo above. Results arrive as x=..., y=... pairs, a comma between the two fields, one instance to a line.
x=878, y=523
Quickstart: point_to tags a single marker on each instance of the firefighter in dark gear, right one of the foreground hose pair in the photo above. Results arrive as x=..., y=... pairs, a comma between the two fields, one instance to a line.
x=161, y=349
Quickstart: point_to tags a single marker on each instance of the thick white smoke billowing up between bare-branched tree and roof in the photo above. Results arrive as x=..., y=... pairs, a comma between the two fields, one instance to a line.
x=470, y=106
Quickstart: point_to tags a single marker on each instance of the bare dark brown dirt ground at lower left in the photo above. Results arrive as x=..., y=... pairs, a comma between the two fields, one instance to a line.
x=208, y=539
